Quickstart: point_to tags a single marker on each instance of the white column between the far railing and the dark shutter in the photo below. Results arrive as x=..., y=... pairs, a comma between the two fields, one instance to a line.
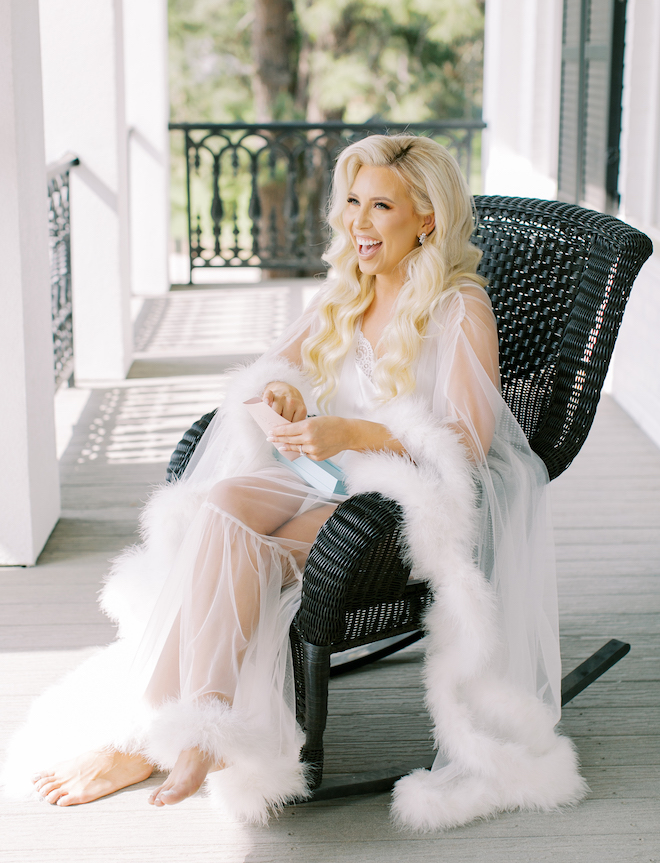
x=522, y=83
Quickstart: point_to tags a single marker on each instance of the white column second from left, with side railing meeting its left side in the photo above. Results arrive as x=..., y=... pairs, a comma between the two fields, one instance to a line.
x=85, y=114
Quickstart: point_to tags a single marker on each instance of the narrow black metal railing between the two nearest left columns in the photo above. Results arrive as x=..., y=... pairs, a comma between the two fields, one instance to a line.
x=59, y=242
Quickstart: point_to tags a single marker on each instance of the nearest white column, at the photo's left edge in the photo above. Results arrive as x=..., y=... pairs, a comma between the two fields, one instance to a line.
x=29, y=488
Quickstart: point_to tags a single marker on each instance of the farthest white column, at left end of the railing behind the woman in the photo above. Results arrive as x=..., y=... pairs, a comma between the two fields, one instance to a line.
x=147, y=114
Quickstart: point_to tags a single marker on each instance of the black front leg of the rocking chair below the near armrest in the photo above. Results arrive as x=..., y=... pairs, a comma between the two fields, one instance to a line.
x=317, y=675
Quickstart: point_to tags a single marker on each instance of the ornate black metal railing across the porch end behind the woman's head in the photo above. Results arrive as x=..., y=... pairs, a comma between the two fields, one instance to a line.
x=257, y=194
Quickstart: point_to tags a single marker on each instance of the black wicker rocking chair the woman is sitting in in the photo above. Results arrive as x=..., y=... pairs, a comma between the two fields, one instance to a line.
x=559, y=278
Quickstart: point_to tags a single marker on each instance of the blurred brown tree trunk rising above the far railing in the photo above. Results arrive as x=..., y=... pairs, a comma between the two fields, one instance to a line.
x=273, y=48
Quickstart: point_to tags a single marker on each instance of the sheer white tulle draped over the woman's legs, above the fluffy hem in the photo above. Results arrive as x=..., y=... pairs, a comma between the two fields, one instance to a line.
x=220, y=626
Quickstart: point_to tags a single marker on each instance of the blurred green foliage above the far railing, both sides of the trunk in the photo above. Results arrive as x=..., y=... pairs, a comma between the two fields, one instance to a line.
x=403, y=60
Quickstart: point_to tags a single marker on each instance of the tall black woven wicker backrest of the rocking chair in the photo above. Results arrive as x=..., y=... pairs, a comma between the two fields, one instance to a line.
x=559, y=278
